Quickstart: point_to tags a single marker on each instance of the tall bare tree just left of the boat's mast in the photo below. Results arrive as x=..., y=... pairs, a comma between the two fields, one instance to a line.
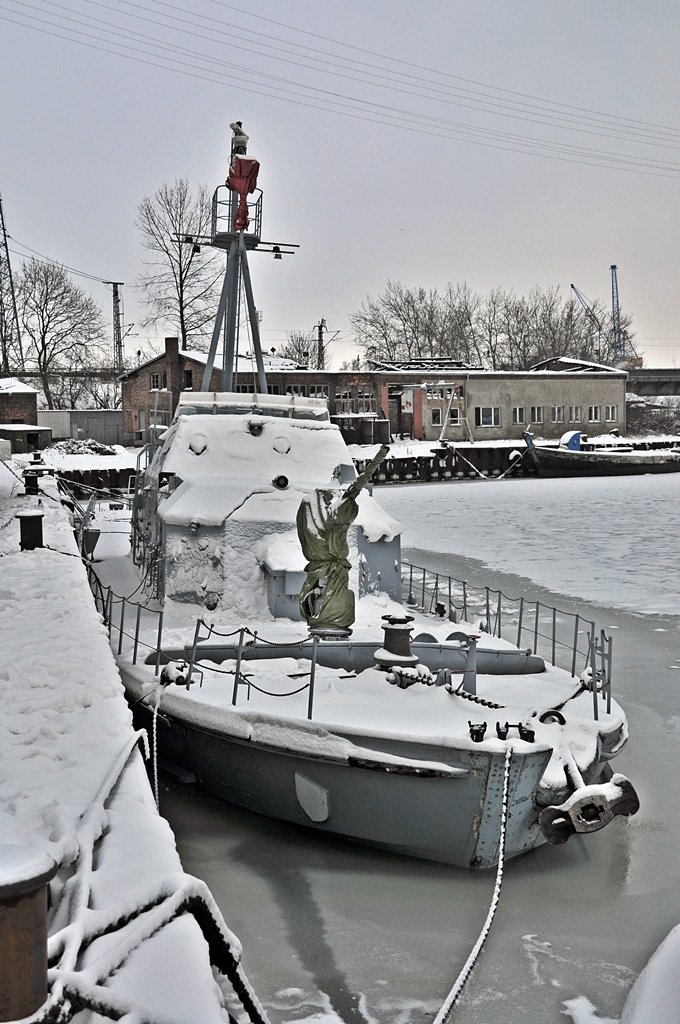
x=182, y=284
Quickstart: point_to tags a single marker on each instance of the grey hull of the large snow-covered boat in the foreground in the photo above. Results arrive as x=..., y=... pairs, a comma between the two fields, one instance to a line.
x=454, y=820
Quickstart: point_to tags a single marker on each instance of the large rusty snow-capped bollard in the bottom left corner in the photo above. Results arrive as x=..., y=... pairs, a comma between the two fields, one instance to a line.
x=25, y=872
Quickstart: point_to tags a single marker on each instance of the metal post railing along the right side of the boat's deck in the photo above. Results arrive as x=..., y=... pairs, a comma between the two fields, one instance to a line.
x=568, y=641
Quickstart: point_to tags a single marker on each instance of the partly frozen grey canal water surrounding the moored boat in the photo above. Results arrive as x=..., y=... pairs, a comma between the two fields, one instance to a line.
x=338, y=933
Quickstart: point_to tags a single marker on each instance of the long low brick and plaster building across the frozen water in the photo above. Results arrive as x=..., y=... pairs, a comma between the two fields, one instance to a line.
x=426, y=400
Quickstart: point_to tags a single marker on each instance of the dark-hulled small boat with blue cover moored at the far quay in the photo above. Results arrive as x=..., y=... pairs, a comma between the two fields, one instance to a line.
x=571, y=459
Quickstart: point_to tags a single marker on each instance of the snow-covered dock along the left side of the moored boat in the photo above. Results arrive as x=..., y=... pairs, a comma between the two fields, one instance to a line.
x=130, y=933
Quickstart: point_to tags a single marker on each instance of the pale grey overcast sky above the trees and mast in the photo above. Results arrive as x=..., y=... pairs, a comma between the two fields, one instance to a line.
x=494, y=143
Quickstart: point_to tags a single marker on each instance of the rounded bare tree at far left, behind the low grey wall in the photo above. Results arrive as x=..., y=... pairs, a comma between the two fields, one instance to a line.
x=65, y=330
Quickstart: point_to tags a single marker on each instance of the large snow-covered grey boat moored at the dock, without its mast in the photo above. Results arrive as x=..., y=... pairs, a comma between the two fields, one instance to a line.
x=458, y=747
